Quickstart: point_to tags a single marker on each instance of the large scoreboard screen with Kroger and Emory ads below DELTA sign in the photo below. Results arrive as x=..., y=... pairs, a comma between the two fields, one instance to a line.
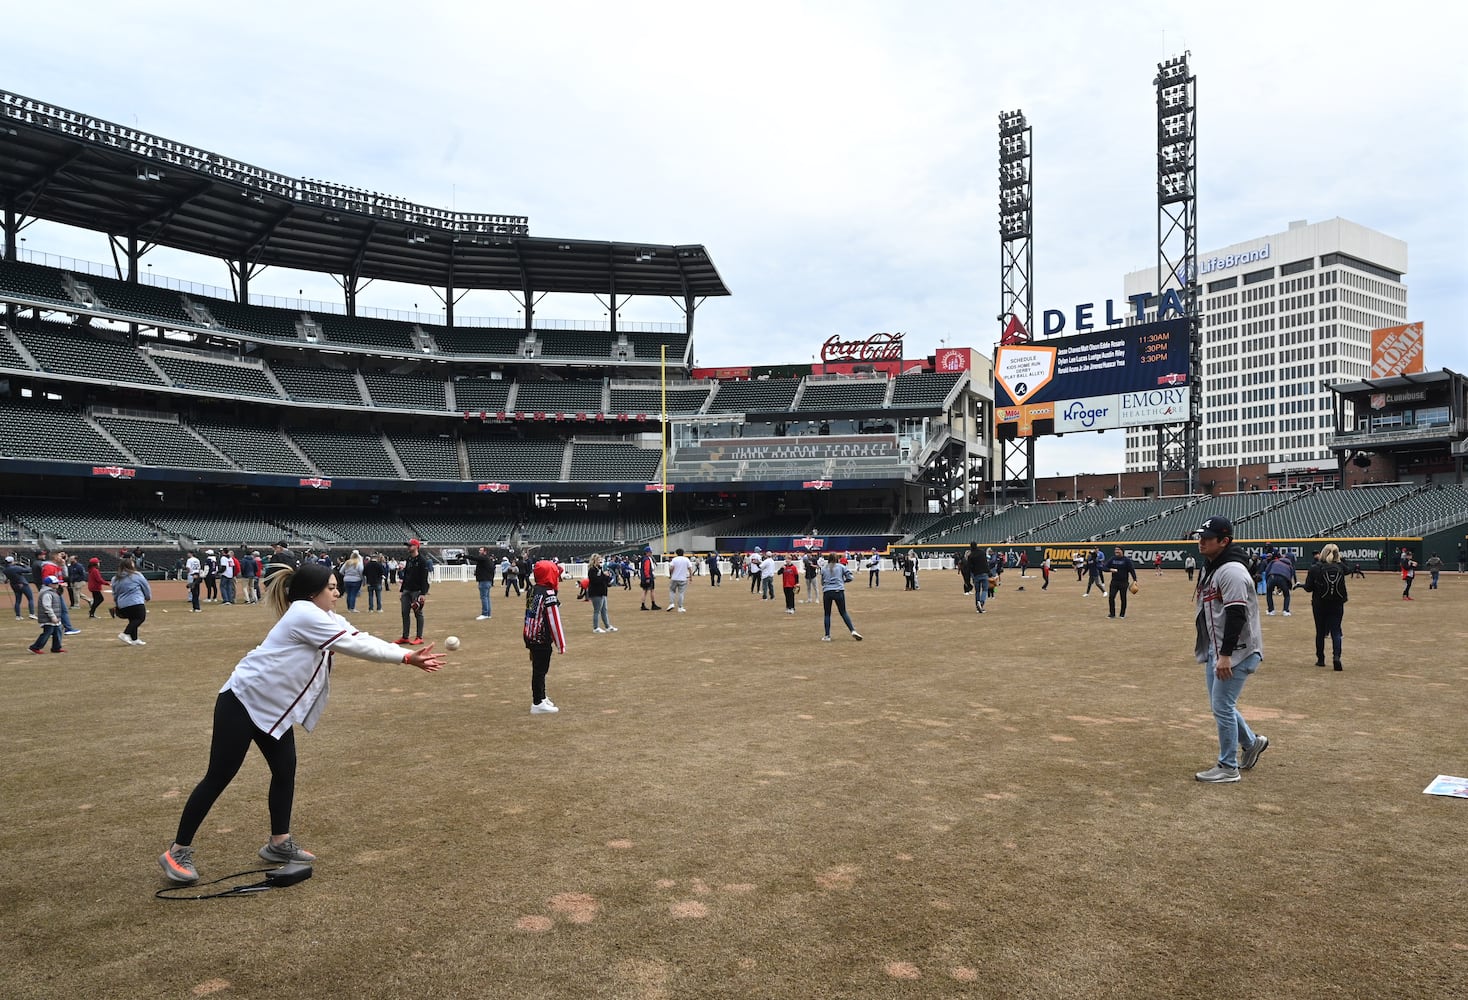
x=1133, y=377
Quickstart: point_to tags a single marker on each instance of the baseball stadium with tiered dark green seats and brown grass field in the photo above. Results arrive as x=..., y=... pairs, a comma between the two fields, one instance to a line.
x=956, y=805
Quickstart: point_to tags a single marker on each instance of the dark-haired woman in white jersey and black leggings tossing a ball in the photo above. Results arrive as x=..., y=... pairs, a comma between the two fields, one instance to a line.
x=280, y=684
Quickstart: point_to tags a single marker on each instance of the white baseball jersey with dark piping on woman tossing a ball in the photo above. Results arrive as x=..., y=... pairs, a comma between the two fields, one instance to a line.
x=284, y=681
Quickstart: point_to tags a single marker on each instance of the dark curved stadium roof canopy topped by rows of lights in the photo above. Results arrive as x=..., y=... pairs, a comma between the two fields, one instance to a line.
x=80, y=171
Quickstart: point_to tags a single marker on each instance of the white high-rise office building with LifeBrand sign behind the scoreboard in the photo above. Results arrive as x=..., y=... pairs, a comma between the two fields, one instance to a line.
x=1284, y=316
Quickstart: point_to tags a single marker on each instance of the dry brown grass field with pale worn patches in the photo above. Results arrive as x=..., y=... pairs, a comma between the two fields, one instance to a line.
x=996, y=807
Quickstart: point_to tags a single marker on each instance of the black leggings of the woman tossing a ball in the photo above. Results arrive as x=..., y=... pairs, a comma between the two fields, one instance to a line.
x=234, y=733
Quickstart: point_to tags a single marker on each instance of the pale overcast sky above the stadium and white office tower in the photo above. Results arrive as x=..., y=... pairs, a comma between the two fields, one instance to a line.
x=839, y=161
